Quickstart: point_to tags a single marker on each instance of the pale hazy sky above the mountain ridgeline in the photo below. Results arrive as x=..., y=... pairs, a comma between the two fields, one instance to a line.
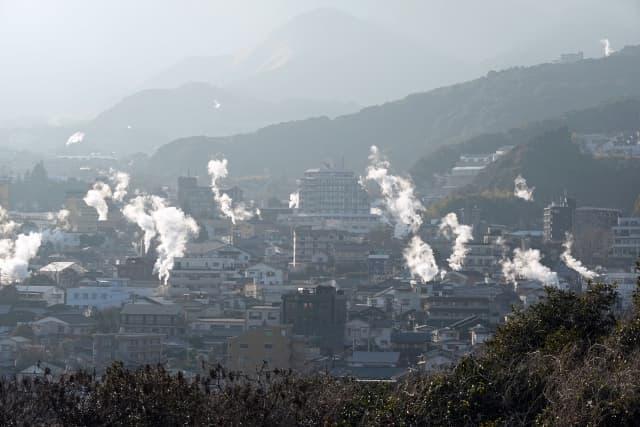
x=74, y=57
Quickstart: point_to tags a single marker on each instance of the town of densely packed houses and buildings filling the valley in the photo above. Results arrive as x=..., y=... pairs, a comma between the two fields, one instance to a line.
x=280, y=291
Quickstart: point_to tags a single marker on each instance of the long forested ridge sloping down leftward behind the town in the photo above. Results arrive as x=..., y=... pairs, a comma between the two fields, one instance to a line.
x=408, y=128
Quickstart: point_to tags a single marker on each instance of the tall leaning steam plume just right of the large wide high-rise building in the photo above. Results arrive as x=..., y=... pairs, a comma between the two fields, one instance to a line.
x=399, y=198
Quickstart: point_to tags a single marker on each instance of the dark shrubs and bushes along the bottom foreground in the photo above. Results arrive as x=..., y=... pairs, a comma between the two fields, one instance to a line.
x=566, y=361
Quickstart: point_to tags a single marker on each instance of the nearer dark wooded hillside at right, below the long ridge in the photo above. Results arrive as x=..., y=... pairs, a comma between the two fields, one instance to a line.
x=549, y=157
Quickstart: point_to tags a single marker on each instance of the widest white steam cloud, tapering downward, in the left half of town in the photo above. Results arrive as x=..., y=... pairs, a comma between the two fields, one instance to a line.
x=168, y=224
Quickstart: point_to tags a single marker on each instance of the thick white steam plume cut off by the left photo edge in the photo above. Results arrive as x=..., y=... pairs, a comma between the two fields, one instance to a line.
x=16, y=254
